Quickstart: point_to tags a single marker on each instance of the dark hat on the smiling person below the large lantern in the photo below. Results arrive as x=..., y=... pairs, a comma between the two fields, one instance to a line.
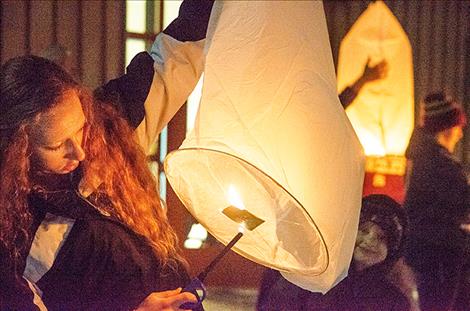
x=390, y=217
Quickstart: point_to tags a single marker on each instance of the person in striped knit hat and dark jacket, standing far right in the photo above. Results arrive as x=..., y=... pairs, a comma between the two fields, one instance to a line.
x=437, y=202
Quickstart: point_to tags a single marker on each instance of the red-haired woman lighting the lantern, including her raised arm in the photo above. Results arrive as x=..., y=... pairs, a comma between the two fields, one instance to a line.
x=73, y=235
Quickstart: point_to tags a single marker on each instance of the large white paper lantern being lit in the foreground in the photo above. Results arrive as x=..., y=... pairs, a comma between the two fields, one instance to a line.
x=270, y=126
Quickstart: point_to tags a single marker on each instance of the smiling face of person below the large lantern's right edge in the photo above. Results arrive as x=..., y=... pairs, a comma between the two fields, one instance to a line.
x=371, y=246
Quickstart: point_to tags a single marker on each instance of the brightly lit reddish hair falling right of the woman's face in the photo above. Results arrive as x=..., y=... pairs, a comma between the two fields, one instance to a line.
x=127, y=181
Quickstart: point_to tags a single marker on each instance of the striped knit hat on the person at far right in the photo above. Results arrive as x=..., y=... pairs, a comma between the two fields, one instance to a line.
x=441, y=112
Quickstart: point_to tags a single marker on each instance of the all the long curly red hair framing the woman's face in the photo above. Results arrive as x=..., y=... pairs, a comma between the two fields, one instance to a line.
x=115, y=166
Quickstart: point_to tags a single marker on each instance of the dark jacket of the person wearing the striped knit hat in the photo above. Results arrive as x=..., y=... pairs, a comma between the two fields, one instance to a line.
x=437, y=195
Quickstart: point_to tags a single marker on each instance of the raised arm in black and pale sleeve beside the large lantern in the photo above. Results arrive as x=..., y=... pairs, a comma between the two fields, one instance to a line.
x=158, y=83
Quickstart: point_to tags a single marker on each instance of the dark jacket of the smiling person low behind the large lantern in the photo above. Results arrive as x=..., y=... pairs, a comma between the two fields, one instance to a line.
x=368, y=290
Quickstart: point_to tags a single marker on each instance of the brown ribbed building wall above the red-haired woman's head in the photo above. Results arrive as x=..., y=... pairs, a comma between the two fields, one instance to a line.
x=92, y=30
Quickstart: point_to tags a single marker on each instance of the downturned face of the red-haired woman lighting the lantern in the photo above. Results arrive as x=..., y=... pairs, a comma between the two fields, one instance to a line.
x=57, y=139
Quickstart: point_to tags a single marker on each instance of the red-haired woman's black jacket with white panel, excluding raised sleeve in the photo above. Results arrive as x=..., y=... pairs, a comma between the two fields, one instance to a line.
x=99, y=264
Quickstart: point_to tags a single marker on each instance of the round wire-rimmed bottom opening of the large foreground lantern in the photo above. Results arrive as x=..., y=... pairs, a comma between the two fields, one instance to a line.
x=203, y=177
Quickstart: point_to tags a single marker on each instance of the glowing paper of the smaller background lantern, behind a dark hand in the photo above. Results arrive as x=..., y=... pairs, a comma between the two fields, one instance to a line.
x=383, y=112
